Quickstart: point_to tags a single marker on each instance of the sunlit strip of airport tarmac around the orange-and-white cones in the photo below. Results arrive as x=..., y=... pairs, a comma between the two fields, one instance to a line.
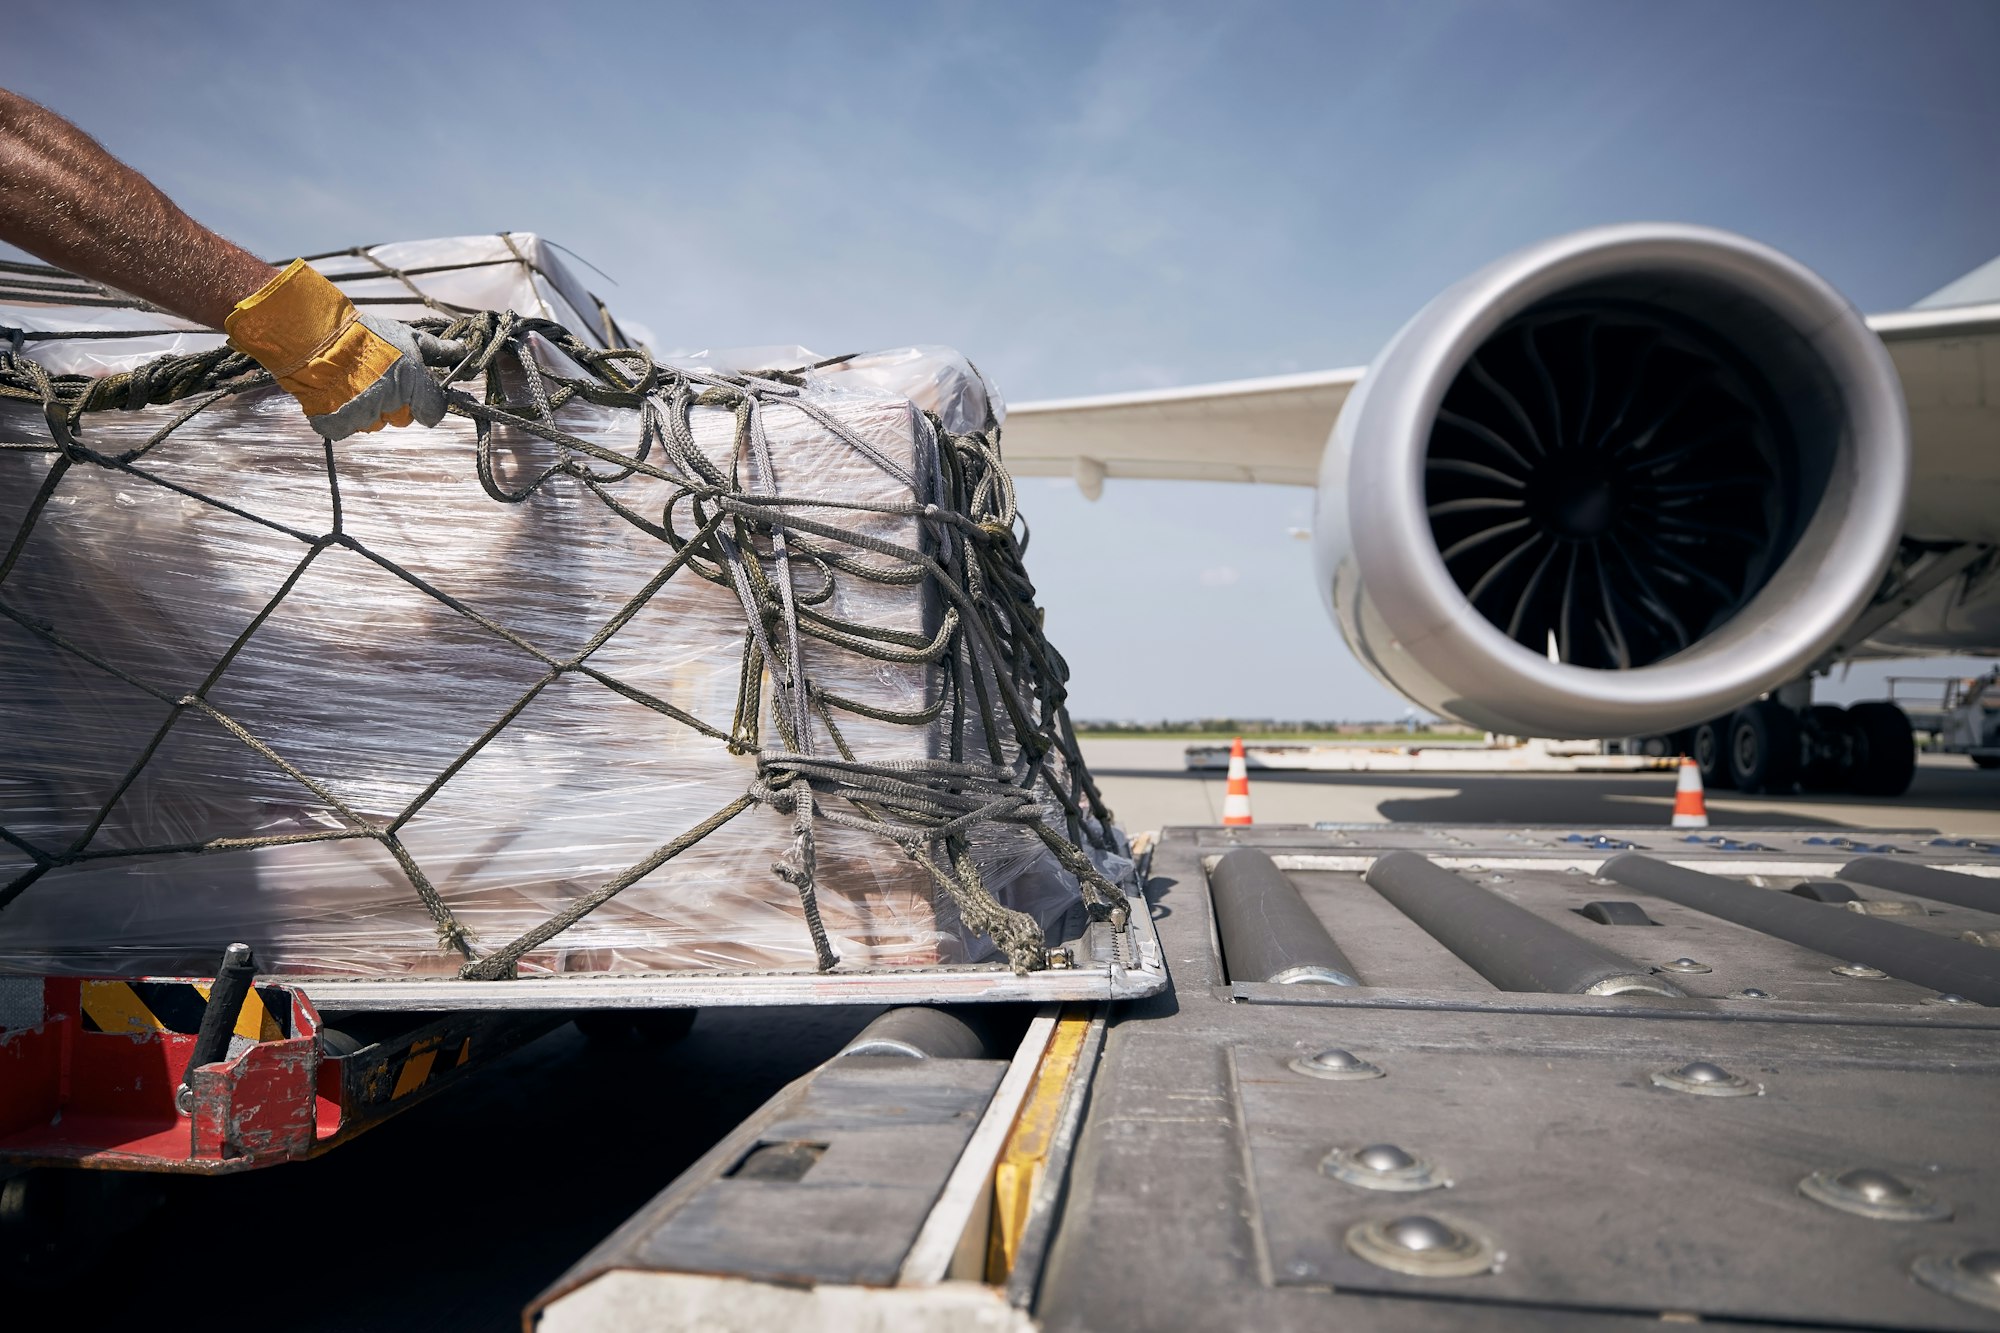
x=1147, y=788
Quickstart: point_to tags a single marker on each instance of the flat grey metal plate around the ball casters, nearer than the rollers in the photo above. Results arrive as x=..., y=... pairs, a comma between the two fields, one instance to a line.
x=1607, y=1192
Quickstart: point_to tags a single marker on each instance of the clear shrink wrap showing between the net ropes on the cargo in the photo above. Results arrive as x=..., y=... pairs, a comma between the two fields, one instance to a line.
x=375, y=690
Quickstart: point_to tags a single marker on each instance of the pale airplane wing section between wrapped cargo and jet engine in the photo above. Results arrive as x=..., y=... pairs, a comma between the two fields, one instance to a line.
x=1245, y=431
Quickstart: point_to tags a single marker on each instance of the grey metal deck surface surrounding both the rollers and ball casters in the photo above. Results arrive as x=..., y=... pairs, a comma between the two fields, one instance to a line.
x=1199, y=1196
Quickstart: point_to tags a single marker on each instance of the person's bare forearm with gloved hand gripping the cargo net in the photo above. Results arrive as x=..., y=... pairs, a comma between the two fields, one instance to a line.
x=65, y=199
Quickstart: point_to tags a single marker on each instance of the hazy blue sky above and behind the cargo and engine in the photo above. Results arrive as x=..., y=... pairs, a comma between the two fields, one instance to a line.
x=1085, y=199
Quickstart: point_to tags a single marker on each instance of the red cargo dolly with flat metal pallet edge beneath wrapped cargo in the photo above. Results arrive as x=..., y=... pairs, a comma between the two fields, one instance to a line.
x=91, y=1068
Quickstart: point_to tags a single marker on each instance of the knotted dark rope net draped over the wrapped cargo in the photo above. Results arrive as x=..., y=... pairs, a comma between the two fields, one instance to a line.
x=1001, y=678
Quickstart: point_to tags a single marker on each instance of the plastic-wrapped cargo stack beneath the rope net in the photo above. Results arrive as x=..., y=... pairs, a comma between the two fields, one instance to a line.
x=387, y=708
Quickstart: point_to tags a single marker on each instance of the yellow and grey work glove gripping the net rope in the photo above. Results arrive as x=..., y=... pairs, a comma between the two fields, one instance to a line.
x=347, y=369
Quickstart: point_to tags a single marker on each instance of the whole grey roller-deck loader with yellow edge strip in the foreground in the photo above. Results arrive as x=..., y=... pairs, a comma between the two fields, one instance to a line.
x=1581, y=1080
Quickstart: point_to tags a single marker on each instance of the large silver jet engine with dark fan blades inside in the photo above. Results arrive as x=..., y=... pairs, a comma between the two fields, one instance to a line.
x=1613, y=485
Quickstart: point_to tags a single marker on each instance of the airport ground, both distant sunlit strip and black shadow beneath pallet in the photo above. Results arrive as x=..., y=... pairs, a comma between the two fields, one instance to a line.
x=463, y=1210
